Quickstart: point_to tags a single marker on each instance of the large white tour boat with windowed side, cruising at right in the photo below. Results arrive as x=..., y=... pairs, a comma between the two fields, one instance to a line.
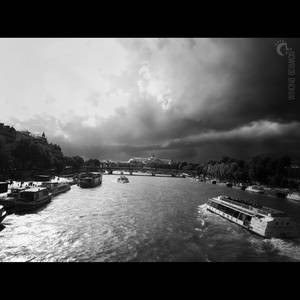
x=264, y=221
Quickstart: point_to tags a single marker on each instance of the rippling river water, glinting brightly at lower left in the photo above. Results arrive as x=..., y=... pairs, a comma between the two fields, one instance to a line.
x=149, y=219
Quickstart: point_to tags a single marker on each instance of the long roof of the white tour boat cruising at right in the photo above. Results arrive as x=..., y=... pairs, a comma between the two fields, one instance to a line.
x=252, y=209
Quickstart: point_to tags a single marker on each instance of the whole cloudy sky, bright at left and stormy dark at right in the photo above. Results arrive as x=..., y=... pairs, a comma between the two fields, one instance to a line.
x=185, y=99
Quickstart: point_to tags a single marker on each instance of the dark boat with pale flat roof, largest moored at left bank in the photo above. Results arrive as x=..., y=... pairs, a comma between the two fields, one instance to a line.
x=31, y=199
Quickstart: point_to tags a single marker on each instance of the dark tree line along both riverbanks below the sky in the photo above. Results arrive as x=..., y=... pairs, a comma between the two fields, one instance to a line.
x=23, y=155
